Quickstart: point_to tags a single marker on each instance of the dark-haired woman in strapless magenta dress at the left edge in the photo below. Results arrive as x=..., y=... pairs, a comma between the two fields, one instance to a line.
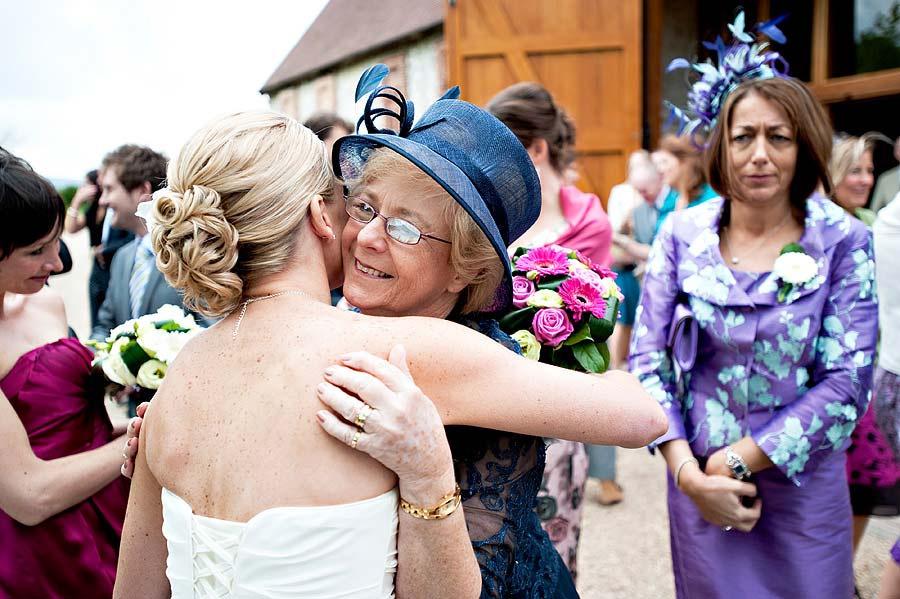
x=61, y=496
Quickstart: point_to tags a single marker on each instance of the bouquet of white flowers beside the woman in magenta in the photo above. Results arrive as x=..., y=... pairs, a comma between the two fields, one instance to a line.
x=140, y=350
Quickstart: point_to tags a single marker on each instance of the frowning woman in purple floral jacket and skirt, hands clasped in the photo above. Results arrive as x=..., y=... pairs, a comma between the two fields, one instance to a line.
x=780, y=284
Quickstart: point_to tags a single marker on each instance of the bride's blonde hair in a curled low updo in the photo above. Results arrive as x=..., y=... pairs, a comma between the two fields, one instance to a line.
x=236, y=195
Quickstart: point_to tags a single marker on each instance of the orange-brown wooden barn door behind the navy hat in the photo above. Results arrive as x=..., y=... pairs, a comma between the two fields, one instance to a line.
x=586, y=52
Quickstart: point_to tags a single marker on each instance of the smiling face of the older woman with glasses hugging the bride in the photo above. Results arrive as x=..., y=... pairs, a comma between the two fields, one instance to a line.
x=384, y=277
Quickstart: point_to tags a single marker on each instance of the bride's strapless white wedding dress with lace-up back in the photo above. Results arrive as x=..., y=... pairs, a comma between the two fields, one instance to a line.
x=346, y=551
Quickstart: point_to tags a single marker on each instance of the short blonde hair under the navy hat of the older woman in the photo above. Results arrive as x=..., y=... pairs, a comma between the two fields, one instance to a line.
x=472, y=257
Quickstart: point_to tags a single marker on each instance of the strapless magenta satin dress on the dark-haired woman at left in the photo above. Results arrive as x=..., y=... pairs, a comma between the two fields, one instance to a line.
x=74, y=553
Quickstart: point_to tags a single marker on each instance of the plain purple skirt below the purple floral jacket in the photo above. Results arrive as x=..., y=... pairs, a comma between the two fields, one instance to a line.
x=800, y=547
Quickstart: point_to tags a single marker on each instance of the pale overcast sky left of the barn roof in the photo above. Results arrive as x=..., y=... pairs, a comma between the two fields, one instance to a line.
x=79, y=78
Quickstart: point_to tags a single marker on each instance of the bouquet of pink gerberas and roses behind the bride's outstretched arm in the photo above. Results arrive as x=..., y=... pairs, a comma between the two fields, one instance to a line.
x=564, y=308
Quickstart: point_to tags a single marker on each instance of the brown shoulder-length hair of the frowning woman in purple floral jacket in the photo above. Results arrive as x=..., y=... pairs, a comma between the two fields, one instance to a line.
x=812, y=131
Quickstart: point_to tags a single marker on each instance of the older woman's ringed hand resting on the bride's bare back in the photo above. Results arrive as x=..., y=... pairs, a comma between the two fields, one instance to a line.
x=378, y=409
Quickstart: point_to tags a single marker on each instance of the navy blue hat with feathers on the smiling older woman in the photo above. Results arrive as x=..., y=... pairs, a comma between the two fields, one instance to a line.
x=465, y=149
